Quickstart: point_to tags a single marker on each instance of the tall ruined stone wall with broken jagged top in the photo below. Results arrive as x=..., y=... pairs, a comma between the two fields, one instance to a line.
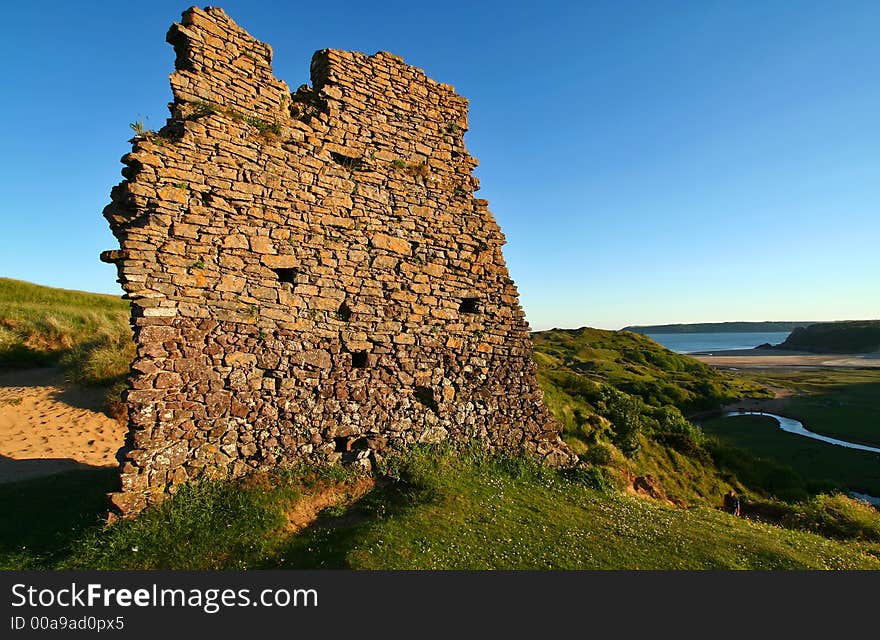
x=310, y=274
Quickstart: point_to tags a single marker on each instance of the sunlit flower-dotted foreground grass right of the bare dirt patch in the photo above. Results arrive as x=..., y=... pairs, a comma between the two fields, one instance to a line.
x=490, y=514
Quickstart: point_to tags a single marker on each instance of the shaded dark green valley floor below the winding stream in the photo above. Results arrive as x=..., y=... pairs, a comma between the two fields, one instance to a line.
x=787, y=465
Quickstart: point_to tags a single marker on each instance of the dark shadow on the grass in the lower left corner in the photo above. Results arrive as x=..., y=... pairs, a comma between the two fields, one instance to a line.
x=42, y=516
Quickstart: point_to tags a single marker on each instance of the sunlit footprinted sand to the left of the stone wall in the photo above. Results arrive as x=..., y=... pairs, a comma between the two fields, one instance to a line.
x=48, y=426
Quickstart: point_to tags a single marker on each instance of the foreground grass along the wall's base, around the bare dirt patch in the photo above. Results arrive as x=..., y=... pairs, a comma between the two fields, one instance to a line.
x=433, y=509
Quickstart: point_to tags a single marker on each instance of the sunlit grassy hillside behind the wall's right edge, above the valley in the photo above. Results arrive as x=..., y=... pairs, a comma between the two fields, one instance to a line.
x=576, y=365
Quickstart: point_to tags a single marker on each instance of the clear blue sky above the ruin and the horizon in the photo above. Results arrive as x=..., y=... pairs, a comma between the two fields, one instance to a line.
x=649, y=162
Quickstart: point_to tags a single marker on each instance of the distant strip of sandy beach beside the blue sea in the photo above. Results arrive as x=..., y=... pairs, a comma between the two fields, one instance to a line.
x=775, y=359
